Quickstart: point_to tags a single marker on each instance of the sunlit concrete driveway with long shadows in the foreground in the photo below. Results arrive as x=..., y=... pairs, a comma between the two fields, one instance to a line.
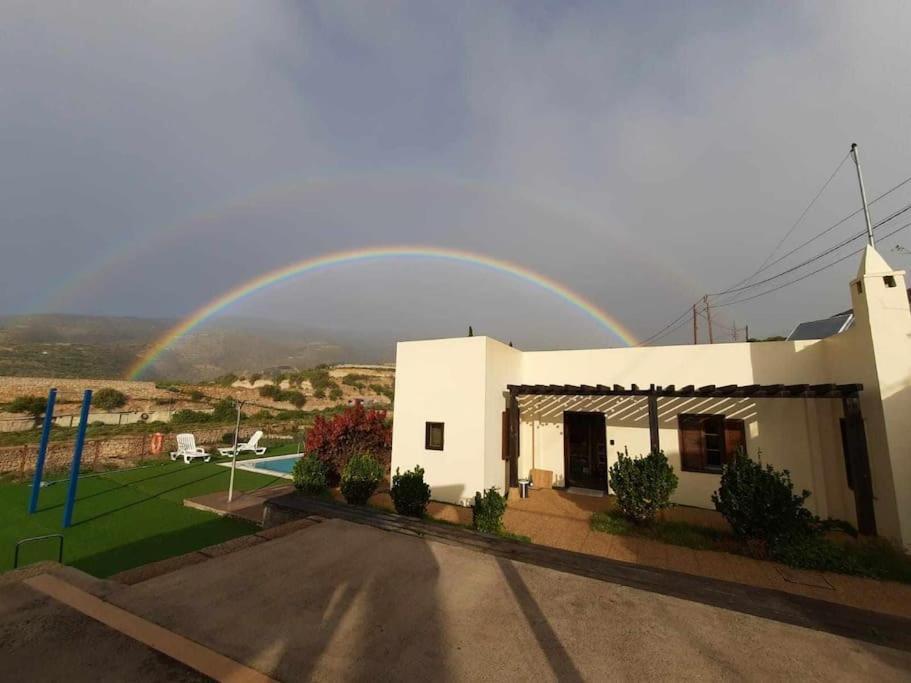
x=344, y=601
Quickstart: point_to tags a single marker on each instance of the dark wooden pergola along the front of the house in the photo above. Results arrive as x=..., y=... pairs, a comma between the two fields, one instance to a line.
x=849, y=394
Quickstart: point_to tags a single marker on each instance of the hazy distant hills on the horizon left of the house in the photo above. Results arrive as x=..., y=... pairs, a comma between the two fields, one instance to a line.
x=51, y=345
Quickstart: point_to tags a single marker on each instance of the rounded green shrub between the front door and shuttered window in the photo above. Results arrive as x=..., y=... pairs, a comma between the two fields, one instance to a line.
x=642, y=485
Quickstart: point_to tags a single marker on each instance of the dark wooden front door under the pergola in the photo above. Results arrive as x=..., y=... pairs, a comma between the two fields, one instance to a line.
x=585, y=450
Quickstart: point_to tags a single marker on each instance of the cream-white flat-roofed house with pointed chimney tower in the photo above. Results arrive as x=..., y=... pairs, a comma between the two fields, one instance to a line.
x=836, y=412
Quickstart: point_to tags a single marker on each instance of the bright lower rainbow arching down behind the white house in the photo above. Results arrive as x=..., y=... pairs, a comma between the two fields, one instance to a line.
x=325, y=261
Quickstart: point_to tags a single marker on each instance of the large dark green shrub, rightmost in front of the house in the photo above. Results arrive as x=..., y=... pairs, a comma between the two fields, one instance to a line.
x=759, y=502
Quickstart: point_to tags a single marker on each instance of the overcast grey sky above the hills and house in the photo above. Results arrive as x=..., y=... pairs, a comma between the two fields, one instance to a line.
x=153, y=155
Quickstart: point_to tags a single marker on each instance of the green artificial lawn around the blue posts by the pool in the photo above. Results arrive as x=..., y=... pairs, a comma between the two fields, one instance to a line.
x=125, y=519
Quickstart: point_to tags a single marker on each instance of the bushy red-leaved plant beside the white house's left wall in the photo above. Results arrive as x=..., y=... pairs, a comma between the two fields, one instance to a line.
x=356, y=430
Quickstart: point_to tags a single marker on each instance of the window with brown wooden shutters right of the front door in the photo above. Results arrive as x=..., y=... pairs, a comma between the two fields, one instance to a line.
x=707, y=442
